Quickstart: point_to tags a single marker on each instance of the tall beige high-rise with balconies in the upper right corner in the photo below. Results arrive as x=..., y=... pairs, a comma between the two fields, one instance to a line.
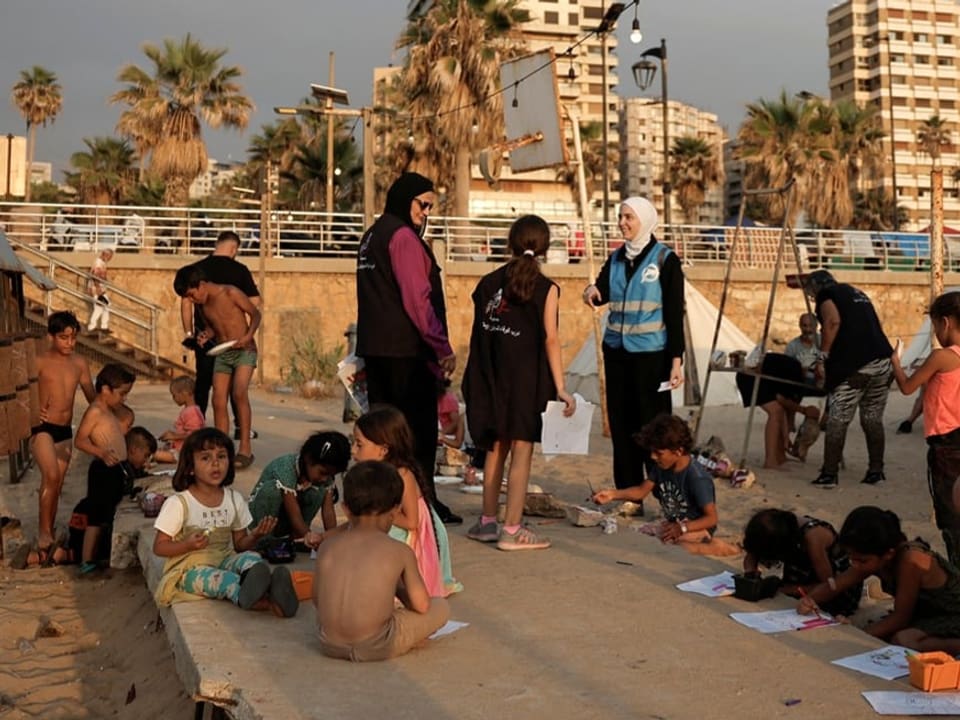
x=901, y=56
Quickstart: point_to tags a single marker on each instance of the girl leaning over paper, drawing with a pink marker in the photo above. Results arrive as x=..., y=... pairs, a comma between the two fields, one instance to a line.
x=925, y=585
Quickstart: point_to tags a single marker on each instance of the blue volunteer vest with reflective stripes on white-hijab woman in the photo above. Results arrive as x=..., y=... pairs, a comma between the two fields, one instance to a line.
x=635, y=322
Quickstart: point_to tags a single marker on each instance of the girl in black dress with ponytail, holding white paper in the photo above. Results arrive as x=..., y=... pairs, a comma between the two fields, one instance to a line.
x=513, y=370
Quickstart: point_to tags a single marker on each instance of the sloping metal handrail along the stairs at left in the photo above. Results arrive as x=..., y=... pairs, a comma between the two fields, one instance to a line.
x=133, y=319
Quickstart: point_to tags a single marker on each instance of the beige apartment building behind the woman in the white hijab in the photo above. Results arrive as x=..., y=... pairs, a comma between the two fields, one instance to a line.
x=641, y=153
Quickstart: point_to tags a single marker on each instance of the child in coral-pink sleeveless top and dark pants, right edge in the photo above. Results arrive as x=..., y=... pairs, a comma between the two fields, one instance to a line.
x=941, y=416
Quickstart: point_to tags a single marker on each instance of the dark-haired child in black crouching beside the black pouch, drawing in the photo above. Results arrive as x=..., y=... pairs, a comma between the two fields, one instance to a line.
x=809, y=551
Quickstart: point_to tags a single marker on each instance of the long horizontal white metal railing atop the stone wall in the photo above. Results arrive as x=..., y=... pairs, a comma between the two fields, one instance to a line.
x=192, y=231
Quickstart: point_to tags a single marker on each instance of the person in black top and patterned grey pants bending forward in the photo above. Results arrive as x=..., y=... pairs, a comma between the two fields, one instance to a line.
x=855, y=368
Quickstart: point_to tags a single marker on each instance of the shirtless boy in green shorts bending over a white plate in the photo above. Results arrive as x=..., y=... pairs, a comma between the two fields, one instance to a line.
x=231, y=316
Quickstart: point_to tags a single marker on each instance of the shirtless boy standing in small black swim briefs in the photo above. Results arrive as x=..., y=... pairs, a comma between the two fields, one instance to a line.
x=60, y=373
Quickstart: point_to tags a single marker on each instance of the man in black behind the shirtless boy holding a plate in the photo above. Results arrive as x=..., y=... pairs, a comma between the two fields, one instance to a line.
x=222, y=268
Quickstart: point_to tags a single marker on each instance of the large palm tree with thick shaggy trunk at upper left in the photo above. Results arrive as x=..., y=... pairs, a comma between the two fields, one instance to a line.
x=188, y=84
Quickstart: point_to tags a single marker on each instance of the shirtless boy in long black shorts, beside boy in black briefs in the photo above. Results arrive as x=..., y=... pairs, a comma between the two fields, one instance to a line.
x=101, y=435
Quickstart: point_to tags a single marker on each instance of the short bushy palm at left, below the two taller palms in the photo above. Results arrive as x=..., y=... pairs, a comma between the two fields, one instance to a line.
x=103, y=173
